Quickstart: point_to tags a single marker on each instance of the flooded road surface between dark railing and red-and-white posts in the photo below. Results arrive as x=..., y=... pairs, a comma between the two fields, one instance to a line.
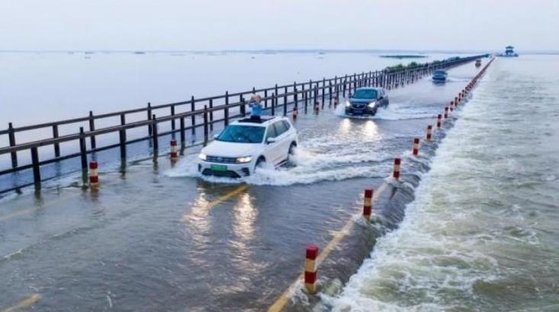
x=158, y=238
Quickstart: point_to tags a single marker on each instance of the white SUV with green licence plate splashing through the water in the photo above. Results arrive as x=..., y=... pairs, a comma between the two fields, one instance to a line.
x=246, y=144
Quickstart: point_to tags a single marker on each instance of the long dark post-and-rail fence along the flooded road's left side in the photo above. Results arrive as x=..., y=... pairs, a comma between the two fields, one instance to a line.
x=203, y=113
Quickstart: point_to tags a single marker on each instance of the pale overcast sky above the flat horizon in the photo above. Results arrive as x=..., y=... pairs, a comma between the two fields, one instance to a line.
x=278, y=24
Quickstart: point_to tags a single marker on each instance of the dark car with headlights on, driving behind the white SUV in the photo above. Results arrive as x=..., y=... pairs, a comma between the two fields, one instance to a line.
x=366, y=101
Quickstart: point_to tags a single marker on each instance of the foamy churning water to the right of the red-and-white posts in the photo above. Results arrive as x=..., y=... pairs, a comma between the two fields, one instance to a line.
x=482, y=233
